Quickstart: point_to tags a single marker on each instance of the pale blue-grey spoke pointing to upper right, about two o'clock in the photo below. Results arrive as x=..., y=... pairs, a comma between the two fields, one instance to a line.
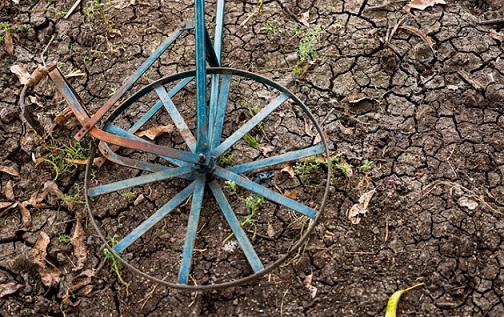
x=255, y=120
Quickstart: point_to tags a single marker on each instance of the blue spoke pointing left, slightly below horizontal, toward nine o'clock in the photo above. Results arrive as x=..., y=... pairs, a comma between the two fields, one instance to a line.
x=140, y=180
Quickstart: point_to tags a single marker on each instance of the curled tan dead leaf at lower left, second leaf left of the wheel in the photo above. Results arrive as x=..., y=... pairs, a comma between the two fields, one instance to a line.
x=50, y=276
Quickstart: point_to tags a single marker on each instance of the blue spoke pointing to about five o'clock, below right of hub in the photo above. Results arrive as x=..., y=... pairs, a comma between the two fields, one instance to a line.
x=238, y=231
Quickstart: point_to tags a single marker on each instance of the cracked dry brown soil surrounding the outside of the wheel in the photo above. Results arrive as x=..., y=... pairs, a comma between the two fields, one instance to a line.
x=432, y=125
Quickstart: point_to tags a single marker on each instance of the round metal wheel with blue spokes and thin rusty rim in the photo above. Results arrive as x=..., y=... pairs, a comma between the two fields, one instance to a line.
x=238, y=214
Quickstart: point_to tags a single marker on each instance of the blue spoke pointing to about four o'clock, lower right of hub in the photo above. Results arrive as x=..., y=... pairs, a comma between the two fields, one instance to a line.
x=266, y=193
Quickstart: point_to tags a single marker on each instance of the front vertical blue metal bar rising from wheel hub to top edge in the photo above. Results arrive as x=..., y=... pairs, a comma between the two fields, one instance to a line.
x=201, y=103
